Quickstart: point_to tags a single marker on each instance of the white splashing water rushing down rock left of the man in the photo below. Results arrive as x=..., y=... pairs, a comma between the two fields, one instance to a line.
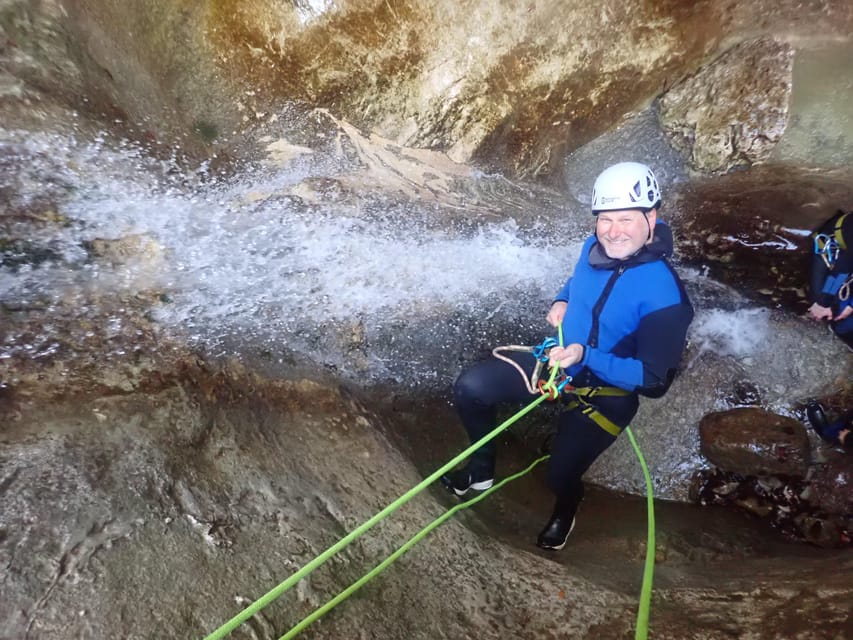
x=271, y=269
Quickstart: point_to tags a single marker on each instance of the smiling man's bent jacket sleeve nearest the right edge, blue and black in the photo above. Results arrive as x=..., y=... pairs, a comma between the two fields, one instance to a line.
x=661, y=337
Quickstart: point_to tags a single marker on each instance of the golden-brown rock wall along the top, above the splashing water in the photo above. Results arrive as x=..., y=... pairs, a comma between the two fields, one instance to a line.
x=513, y=85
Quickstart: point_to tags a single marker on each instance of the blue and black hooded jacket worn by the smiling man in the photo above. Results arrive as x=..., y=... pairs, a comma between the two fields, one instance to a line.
x=631, y=316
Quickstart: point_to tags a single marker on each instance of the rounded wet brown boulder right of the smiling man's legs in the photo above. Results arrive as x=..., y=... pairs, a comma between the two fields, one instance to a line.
x=754, y=442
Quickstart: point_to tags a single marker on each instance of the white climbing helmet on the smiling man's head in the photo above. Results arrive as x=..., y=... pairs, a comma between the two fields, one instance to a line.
x=626, y=185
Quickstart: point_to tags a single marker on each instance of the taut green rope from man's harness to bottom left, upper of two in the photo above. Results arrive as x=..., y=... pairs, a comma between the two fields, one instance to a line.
x=277, y=591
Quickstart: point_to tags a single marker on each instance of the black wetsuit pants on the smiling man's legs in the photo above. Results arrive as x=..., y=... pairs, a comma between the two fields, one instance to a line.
x=579, y=441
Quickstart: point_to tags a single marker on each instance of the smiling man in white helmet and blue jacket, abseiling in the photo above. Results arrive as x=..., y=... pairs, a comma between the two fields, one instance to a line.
x=624, y=316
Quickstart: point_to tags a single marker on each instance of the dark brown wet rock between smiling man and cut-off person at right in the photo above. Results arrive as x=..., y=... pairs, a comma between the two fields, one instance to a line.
x=751, y=229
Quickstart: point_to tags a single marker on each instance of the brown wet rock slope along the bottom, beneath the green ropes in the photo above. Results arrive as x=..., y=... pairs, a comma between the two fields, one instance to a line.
x=239, y=481
